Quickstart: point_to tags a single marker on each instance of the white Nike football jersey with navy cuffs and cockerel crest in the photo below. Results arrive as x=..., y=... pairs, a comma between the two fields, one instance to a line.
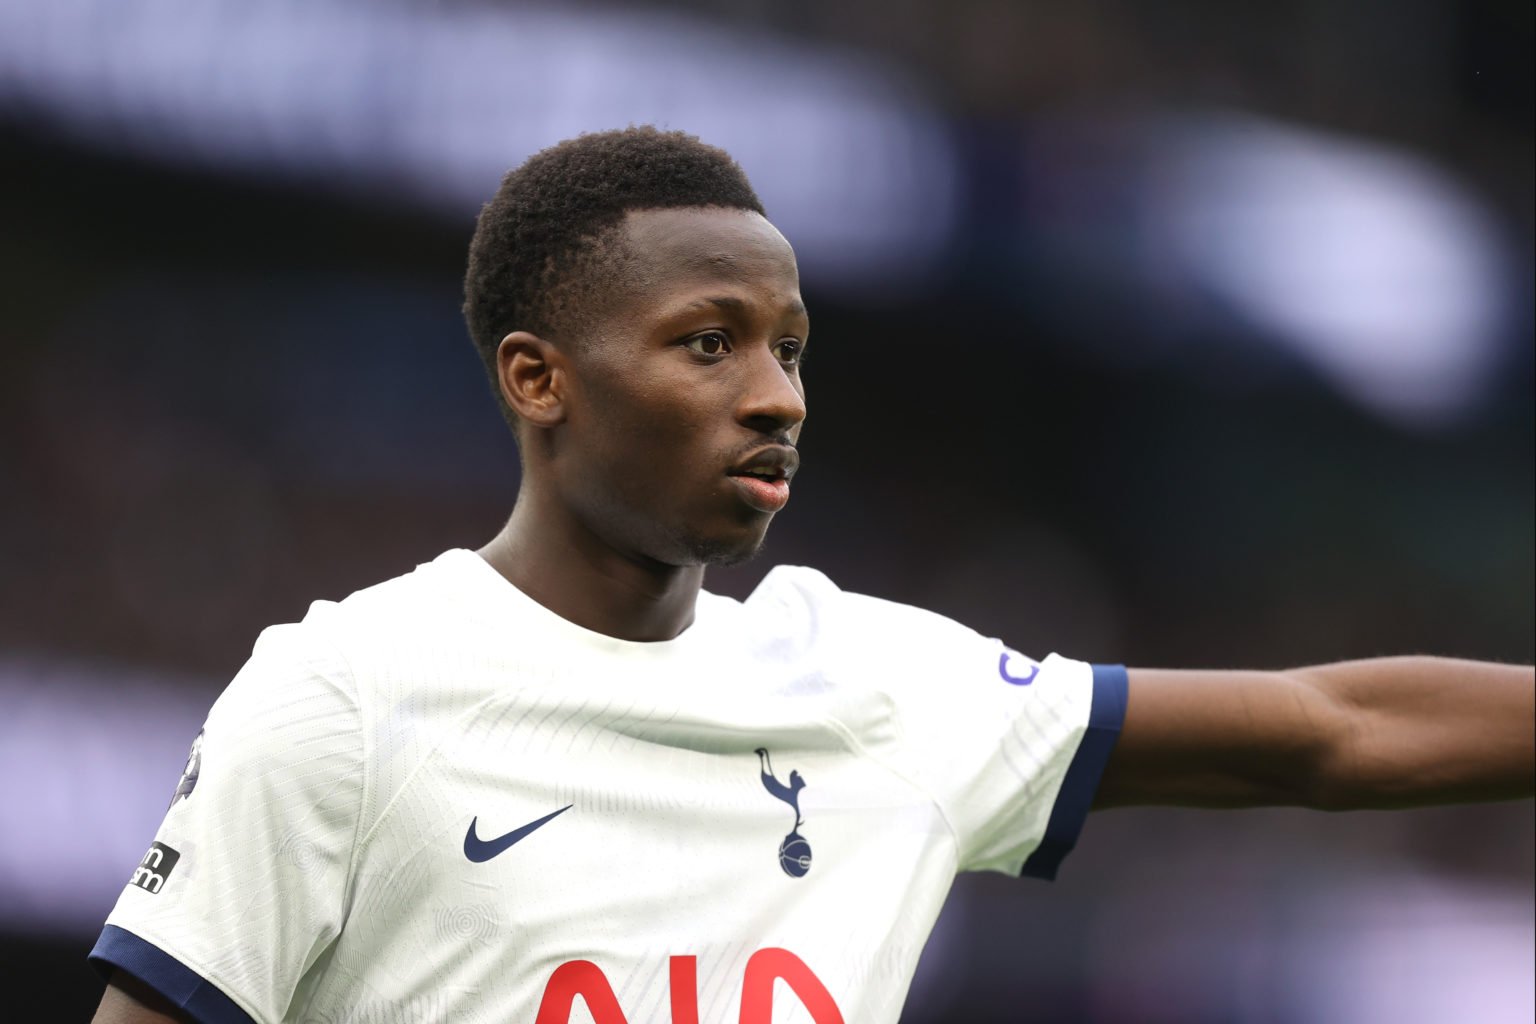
x=437, y=801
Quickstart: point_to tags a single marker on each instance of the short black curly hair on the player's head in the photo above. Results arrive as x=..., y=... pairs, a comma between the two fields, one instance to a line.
x=543, y=246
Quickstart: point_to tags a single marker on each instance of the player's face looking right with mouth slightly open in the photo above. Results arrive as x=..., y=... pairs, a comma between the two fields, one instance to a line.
x=687, y=400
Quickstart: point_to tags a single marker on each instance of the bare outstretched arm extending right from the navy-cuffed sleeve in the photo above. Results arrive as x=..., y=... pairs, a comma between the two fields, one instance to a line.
x=1385, y=733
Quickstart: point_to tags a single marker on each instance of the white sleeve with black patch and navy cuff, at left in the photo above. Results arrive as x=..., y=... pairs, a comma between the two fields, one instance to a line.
x=243, y=888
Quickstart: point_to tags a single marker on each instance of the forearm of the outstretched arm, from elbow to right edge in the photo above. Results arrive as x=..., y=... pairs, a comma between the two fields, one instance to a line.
x=1426, y=730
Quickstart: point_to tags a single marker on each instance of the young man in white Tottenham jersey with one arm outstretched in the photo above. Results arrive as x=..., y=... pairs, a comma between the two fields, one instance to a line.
x=557, y=781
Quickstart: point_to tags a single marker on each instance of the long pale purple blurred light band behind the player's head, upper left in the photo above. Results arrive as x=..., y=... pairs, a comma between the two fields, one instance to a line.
x=439, y=102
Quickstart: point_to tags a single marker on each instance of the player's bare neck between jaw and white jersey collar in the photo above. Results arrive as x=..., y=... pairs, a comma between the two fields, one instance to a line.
x=575, y=575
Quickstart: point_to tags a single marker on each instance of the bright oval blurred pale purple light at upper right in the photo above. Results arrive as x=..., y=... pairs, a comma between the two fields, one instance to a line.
x=1371, y=265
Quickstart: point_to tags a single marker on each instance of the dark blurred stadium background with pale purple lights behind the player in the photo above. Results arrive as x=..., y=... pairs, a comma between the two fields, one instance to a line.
x=1180, y=334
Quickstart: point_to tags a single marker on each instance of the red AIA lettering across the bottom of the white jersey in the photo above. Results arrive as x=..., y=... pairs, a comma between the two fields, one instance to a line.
x=586, y=980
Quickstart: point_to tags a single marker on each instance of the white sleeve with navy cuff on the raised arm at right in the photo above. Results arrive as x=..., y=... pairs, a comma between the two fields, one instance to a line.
x=1010, y=748
